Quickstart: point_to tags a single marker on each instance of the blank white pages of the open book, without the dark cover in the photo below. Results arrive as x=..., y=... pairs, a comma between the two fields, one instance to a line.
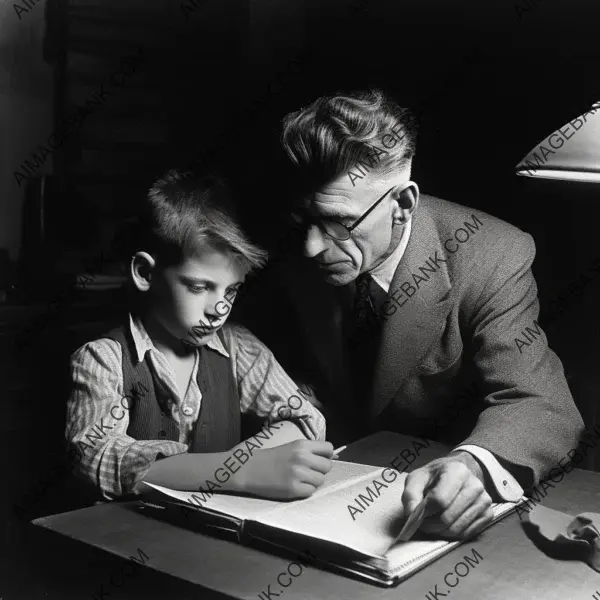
x=350, y=509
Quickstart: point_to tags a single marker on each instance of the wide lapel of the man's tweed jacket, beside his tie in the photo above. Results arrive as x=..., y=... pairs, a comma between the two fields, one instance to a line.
x=419, y=320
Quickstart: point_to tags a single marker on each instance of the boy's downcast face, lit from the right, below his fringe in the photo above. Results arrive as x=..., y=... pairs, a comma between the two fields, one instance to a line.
x=192, y=300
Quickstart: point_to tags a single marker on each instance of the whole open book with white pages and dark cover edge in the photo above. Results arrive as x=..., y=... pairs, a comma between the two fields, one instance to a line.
x=350, y=524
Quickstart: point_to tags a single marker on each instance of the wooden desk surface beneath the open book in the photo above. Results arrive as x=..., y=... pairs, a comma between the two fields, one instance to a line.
x=511, y=566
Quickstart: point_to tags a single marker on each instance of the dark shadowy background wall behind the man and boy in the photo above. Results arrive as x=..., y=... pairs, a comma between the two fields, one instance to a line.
x=487, y=81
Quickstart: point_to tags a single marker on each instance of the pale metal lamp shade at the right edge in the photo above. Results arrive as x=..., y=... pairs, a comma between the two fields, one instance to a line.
x=571, y=153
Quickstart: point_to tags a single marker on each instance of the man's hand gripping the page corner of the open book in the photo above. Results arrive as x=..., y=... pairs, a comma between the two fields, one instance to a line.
x=456, y=498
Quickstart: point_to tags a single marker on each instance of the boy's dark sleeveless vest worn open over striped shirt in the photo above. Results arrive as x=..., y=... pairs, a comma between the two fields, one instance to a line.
x=218, y=426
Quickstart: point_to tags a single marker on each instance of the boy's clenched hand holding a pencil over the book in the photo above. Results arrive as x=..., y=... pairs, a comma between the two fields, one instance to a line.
x=293, y=470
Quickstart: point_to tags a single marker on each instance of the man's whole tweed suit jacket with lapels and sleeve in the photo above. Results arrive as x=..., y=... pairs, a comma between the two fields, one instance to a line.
x=461, y=357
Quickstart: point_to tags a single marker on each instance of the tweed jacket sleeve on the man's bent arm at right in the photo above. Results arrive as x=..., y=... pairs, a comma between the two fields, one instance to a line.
x=529, y=419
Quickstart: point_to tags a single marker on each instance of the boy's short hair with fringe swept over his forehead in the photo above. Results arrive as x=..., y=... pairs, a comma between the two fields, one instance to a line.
x=184, y=212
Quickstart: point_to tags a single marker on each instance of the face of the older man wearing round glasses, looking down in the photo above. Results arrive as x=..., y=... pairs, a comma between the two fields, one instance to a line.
x=342, y=261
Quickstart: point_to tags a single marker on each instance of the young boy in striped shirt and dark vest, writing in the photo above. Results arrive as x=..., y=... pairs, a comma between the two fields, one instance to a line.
x=160, y=397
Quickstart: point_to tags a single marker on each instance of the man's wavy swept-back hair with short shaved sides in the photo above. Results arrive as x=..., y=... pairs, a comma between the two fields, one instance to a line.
x=329, y=137
